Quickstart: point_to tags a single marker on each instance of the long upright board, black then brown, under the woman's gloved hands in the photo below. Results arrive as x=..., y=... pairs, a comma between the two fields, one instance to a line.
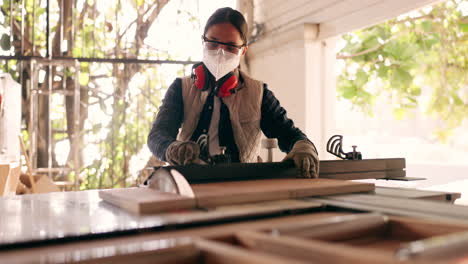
x=357, y=169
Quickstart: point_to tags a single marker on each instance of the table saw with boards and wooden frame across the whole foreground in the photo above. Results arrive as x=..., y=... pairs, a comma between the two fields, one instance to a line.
x=226, y=221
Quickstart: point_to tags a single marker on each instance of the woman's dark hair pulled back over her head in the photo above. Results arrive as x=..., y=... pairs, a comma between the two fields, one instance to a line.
x=231, y=16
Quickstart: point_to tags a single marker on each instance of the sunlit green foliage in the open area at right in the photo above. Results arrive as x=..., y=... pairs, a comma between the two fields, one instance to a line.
x=395, y=59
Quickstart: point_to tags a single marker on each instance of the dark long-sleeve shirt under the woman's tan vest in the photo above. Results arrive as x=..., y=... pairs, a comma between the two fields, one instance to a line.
x=274, y=123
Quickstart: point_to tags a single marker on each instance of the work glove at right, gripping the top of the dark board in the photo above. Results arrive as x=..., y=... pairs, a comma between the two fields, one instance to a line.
x=305, y=158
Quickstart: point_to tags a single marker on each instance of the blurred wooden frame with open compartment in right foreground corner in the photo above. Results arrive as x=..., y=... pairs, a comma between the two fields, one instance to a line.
x=363, y=238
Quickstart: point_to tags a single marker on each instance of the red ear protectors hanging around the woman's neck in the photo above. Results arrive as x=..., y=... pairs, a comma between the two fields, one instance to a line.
x=203, y=80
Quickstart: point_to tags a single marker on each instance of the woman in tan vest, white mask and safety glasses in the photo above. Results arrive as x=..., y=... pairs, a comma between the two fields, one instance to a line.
x=224, y=106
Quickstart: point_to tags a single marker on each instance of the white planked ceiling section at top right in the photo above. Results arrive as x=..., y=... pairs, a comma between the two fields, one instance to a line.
x=334, y=17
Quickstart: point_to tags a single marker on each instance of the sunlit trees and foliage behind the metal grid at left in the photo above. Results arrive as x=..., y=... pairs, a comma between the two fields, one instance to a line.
x=118, y=101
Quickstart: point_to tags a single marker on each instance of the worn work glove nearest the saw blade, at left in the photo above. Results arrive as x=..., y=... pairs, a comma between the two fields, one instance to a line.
x=182, y=152
